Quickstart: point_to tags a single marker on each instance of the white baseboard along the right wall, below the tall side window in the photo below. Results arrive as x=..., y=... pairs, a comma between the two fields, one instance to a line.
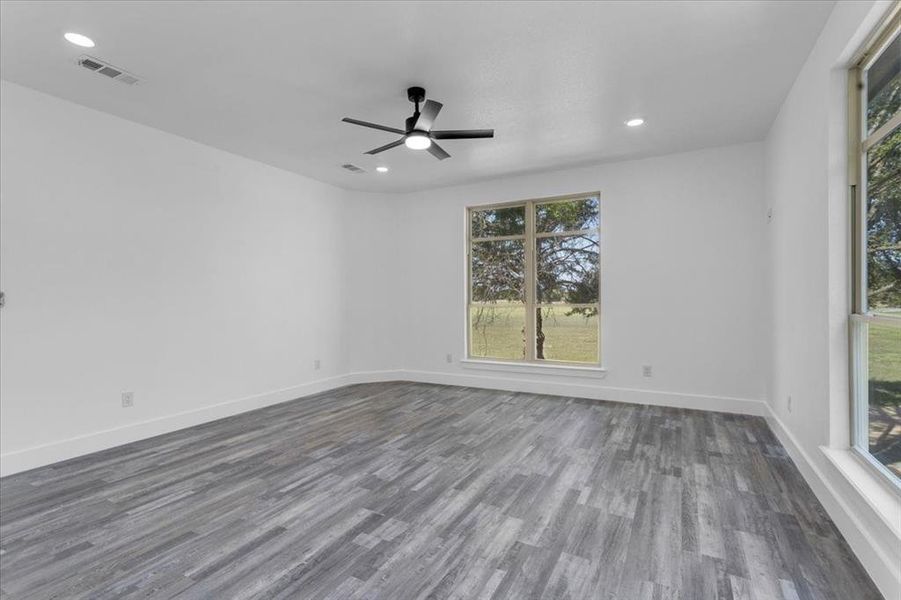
x=868, y=545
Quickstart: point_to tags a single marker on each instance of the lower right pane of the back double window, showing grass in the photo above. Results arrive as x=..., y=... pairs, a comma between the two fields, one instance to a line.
x=567, y=334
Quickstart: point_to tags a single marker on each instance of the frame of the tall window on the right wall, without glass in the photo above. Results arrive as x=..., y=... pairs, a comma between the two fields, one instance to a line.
x=861, y=317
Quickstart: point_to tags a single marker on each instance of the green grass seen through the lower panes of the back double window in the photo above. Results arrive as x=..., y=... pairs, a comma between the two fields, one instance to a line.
x=497, y=332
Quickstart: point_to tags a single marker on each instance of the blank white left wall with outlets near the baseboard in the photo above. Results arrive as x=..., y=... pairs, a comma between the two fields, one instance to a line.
x=136, y=260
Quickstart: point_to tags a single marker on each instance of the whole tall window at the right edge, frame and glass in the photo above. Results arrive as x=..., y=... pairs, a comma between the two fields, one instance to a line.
x=876, y=197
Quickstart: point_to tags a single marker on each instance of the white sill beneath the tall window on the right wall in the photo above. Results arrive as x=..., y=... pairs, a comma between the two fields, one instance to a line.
x=877, y=491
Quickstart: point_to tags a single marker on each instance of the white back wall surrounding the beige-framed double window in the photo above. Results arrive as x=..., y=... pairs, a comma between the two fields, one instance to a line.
x=682, y=275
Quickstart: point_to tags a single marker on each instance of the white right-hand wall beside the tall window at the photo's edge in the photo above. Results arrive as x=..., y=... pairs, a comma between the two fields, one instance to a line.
x=806, y=166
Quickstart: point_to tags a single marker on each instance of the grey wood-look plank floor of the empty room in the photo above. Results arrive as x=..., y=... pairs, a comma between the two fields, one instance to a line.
x=404, y=490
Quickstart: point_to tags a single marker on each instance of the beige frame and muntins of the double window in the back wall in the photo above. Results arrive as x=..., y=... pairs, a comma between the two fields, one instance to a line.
x=529, y=238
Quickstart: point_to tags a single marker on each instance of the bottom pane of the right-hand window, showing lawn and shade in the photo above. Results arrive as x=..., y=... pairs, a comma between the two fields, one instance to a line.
x=884, y=392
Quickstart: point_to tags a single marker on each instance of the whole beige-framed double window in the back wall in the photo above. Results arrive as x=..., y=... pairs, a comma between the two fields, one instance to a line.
x=534, y=281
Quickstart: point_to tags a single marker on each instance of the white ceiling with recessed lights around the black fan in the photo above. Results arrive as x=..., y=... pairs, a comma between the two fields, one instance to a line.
x=272, y=80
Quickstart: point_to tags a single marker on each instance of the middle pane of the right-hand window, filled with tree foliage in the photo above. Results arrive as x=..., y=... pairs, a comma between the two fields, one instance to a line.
x=884, y=225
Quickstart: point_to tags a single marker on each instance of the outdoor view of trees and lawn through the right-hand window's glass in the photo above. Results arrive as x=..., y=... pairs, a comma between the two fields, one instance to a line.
x=883, y=165
